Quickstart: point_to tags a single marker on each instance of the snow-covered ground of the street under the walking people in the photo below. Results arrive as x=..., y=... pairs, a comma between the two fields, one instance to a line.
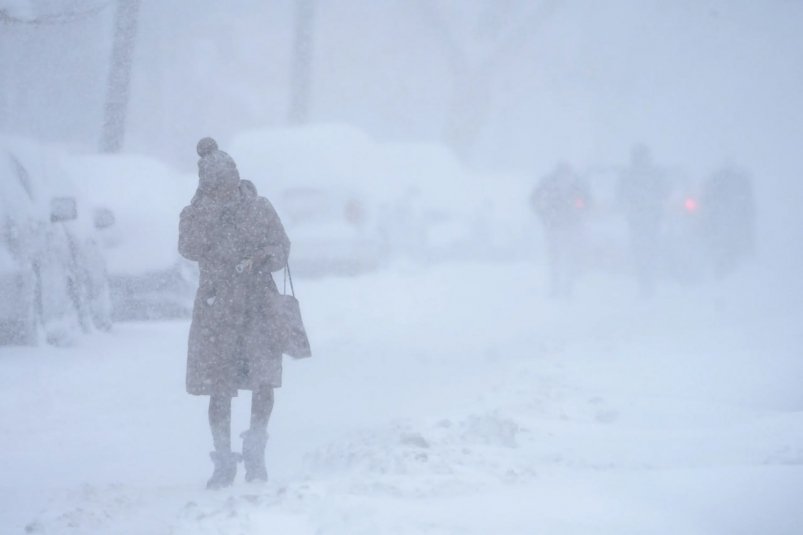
x=454, y=399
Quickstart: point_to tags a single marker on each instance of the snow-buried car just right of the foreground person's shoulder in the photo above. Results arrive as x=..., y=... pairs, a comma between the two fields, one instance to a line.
x=314, y=179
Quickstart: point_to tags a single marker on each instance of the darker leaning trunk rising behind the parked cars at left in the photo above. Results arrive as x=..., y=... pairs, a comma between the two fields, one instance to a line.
x=119, y=83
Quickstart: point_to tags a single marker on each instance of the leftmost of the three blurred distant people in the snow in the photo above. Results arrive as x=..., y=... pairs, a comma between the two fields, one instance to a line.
x=561, y=200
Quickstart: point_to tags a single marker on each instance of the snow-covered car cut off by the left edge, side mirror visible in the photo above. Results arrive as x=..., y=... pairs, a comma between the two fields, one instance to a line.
x=52, y=271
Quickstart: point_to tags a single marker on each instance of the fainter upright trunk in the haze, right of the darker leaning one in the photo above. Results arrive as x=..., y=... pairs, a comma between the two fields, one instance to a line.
x=301, y=68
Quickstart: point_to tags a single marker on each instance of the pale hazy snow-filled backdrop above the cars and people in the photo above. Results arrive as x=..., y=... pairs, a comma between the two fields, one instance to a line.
x=510, y=85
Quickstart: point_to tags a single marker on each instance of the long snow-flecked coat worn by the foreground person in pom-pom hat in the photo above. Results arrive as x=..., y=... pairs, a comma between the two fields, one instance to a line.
x=232, y=342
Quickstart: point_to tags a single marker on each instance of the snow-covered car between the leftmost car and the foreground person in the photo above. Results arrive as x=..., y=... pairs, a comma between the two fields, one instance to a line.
x=148, y=278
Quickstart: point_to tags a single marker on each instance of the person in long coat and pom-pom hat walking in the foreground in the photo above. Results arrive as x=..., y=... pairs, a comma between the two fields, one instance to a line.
x=238, y=240
